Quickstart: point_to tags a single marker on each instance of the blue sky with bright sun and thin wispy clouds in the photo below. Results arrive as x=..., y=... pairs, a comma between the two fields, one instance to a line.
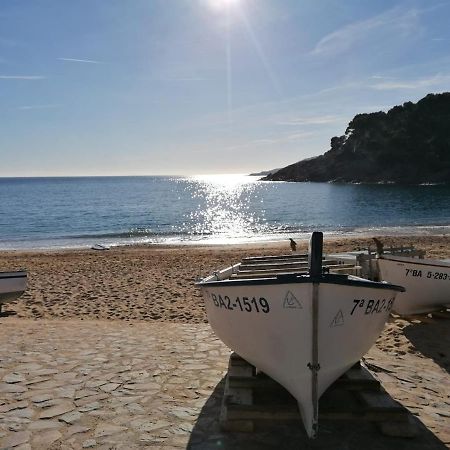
x=181, y=87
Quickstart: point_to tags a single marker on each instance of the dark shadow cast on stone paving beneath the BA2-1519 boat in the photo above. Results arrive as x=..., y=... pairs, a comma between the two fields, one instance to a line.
x=333, y=435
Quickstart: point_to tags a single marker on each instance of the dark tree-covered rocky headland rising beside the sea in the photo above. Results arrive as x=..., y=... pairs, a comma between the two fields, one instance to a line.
x=409, y=144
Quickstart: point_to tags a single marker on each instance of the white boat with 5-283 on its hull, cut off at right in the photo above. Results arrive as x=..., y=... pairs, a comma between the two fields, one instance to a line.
x=427, y=282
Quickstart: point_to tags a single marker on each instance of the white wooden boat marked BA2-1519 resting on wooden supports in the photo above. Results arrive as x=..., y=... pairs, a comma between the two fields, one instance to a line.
x=302, y=329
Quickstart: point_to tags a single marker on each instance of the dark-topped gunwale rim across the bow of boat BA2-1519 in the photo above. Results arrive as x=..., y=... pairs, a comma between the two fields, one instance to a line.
x=299, y=279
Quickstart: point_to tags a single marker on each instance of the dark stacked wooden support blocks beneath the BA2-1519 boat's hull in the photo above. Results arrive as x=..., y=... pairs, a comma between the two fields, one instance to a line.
x=250, y=398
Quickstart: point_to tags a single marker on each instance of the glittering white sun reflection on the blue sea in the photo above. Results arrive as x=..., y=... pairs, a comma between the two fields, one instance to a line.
x=226, y=206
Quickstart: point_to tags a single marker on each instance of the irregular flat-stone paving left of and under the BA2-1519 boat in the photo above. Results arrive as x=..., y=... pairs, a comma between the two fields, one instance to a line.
x=115, y=385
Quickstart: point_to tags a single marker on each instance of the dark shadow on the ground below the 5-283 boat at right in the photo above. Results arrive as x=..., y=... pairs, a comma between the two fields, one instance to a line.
x=432, y=339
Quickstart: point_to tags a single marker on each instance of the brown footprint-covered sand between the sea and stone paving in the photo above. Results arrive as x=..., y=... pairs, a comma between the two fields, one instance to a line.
x=149, y=282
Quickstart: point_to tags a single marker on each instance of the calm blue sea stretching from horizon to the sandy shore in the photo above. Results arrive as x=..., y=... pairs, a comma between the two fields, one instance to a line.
x=79, y=212
